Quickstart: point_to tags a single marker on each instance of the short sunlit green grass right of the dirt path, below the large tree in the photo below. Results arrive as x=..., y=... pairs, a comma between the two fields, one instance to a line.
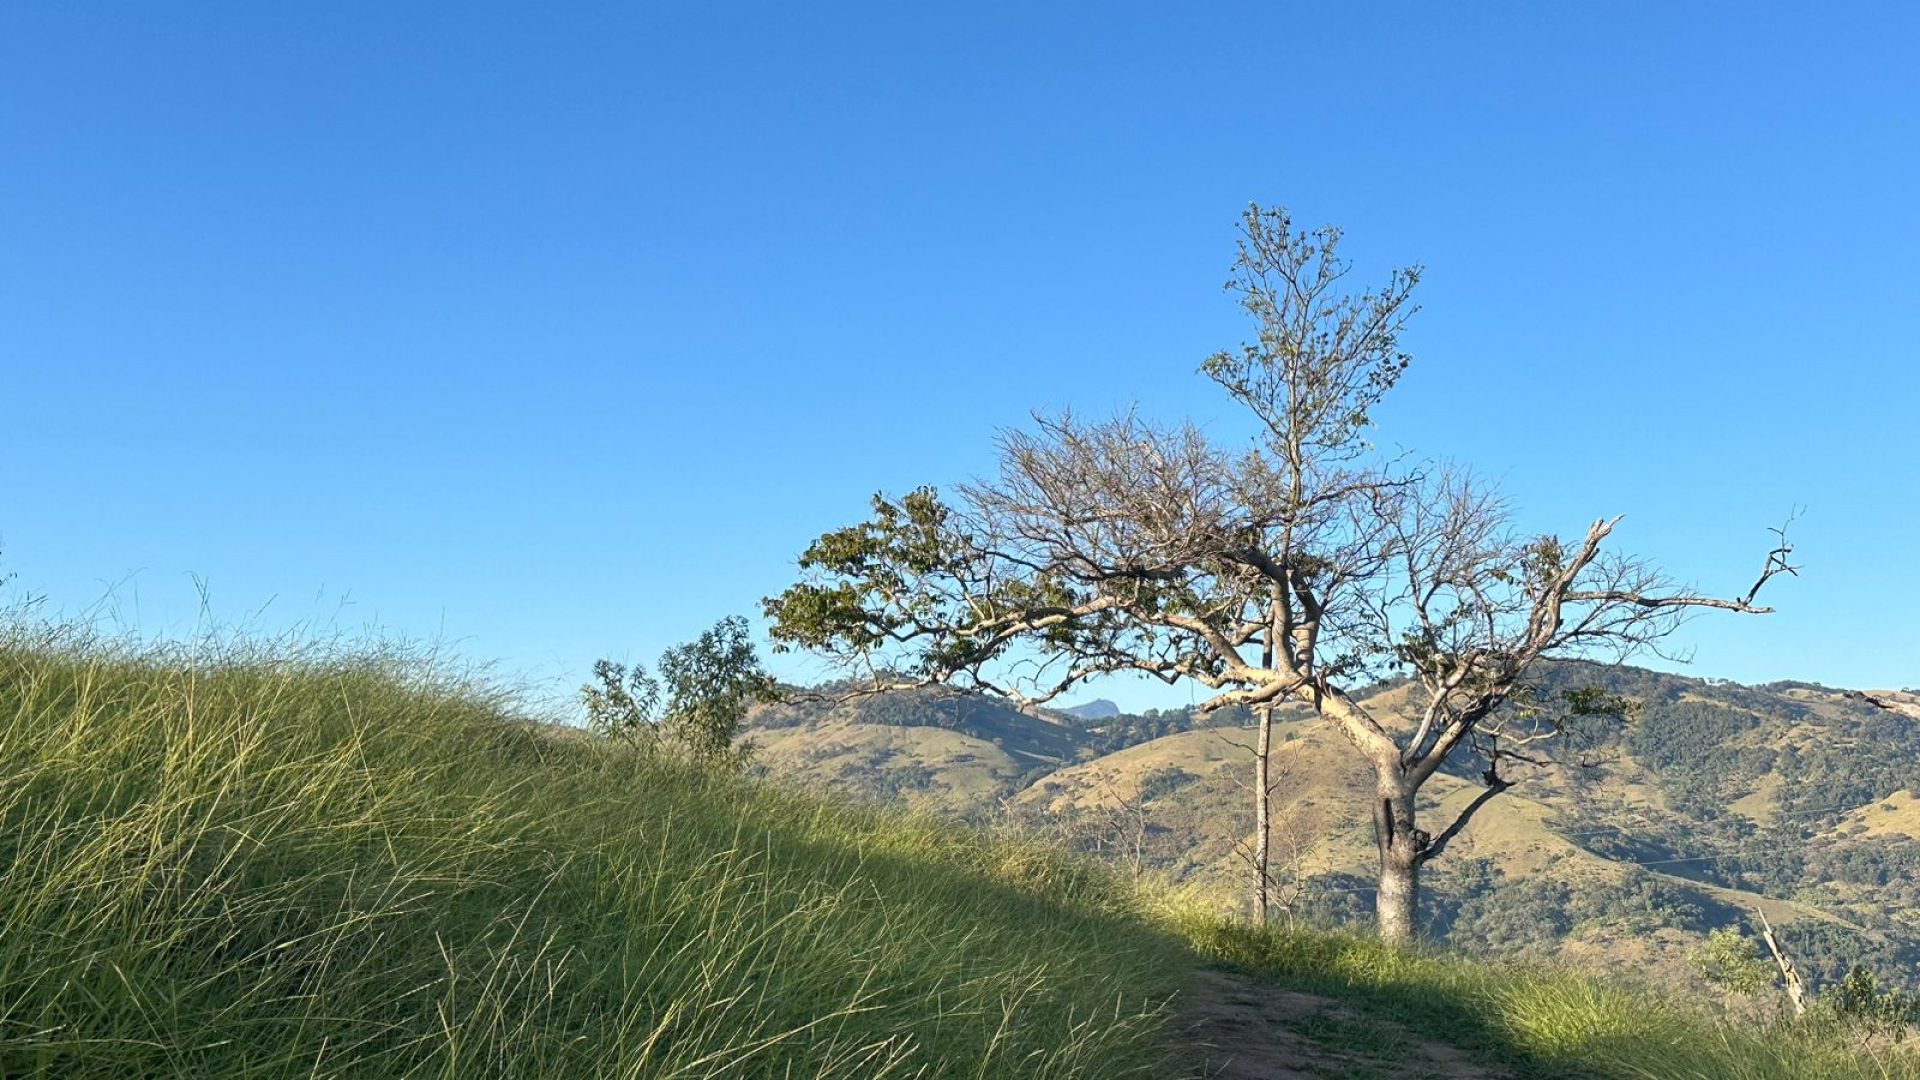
x=1543, y=1021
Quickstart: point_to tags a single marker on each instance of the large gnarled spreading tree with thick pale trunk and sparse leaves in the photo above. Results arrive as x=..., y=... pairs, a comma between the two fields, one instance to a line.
x=1130, y=547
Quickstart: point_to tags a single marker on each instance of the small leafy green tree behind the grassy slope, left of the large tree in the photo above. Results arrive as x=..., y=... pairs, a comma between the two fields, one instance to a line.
x=709, y=685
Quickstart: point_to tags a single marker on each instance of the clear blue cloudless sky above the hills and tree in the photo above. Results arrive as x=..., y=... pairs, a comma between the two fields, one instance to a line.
x=556, y=331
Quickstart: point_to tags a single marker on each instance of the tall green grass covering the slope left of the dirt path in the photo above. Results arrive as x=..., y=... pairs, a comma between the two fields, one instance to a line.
x=276, y=864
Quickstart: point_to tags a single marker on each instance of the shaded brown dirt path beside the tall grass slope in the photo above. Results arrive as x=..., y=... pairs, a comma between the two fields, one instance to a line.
x=1249, y=1031
